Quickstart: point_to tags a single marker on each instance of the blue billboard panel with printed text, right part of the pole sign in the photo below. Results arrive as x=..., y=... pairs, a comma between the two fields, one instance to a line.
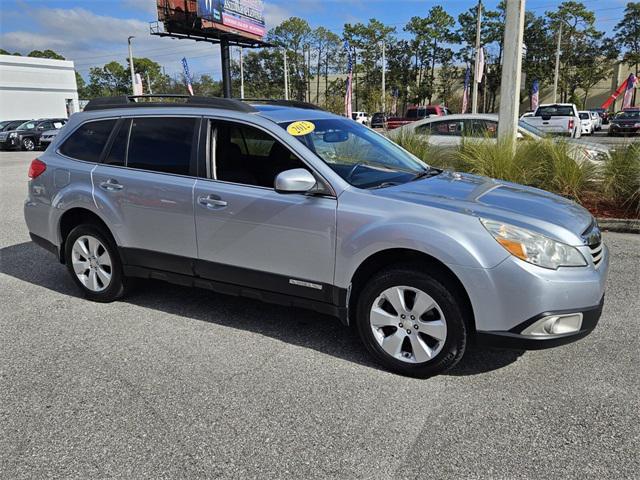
x=242, y=15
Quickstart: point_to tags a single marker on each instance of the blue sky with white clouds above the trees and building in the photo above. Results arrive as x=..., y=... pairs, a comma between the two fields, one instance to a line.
x=94, y=32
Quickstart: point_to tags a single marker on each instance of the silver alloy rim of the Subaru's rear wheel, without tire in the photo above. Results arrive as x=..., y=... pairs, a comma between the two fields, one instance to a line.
x=91, y=263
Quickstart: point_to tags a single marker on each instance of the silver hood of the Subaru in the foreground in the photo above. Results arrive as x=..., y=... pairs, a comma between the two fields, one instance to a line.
x=532, y=208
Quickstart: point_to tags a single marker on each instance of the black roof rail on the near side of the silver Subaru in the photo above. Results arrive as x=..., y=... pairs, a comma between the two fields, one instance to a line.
x=131, y=101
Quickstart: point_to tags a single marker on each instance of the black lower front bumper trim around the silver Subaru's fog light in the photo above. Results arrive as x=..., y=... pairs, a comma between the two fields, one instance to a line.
x=516, y=340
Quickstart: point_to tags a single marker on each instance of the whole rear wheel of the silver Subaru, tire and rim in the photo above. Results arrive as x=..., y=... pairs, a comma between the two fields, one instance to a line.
x=94, y=264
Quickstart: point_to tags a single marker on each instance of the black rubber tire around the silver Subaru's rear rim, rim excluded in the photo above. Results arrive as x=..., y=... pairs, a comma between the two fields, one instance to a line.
x=118, y=285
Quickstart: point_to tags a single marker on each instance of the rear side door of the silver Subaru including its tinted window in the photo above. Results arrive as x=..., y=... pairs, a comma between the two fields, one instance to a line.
x=144, y=187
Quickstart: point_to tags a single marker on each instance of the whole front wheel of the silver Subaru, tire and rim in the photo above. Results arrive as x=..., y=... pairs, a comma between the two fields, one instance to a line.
x=412, y=322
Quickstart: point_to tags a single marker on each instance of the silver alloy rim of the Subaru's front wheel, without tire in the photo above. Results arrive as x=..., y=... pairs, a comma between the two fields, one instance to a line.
x=408, y=324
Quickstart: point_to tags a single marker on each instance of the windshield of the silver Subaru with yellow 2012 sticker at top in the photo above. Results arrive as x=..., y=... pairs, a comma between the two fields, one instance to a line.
x=360, y=156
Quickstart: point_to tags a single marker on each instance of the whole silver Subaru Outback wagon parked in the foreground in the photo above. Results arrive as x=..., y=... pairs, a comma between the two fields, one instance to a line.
x=284, y=202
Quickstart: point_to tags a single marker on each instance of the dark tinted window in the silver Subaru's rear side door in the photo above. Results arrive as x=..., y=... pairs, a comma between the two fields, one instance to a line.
x=161, y=144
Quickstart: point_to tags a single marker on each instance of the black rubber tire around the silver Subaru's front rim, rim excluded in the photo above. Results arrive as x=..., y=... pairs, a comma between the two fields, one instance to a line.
x=444, y=295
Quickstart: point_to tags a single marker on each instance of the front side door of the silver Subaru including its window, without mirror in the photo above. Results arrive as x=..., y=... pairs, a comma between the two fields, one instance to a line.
x=248, y=234
